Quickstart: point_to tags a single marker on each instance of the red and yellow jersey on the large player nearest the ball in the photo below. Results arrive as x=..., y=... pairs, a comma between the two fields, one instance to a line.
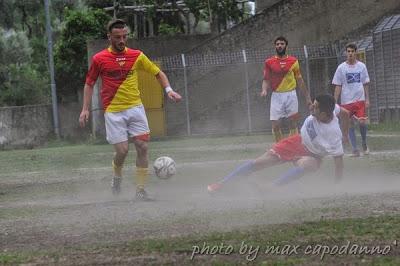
x=119, y=76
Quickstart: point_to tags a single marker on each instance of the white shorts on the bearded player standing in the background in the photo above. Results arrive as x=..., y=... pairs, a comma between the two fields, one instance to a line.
x=283, y=104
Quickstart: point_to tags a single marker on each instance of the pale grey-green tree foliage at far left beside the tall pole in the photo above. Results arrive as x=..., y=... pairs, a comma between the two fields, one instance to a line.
x=24, y=76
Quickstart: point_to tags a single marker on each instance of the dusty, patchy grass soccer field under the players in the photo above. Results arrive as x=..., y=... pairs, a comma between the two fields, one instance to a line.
x=56, y=207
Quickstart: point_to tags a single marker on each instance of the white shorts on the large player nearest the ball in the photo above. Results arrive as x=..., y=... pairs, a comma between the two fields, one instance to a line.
x=125, y=124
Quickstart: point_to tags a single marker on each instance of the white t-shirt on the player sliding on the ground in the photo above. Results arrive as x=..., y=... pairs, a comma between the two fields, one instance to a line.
x=323, y=138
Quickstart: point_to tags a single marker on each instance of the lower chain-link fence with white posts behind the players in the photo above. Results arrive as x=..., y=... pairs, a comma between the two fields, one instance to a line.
x=222, y=91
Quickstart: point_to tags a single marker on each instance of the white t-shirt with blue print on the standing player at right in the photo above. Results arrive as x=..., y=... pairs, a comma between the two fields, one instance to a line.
x=352, y=79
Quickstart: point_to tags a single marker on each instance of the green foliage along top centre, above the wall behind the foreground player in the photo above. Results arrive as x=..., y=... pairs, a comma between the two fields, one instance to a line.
x=220, y=13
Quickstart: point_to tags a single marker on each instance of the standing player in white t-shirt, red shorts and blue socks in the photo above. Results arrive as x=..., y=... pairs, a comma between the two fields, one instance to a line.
x=351, y=84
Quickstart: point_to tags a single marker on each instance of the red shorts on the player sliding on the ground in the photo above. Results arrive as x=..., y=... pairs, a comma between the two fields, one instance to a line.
x=290, y=149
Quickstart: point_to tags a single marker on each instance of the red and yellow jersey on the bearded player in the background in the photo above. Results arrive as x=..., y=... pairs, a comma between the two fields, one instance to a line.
x=282, y=73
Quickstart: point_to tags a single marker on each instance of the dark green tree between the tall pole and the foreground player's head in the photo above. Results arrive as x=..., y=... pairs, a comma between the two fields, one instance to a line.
x=71, y=51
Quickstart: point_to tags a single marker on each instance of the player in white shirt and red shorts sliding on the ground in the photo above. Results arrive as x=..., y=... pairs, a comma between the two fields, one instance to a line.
x=320, y=135
